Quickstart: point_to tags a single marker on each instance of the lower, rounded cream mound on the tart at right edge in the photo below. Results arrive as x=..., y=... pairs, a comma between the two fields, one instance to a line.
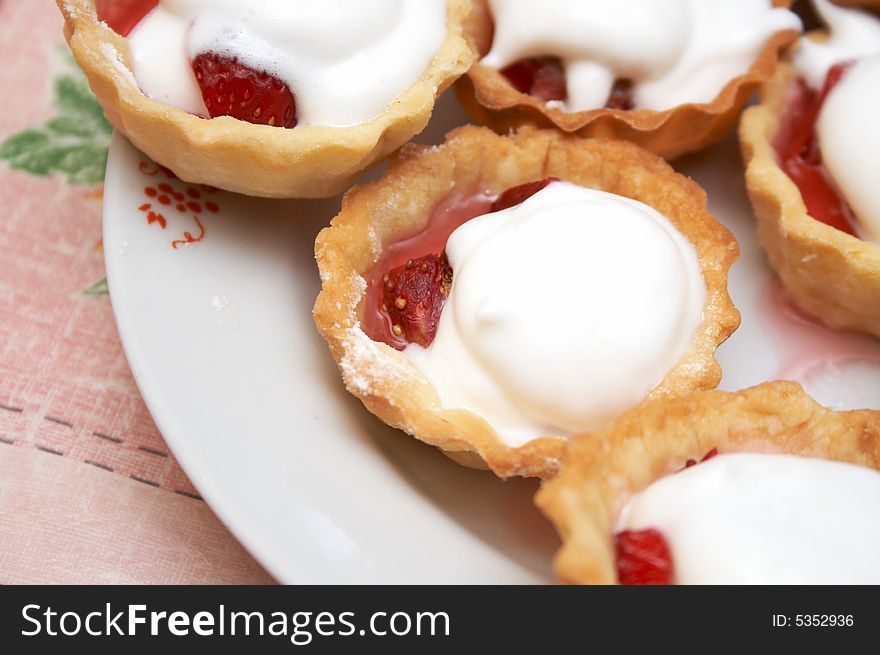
x=850, y=142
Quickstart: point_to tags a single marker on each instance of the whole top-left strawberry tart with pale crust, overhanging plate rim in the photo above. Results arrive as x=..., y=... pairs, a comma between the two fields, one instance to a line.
x=302, y=96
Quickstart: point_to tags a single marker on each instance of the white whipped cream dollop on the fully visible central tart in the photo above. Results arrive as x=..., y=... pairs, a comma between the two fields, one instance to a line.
x=564, y=311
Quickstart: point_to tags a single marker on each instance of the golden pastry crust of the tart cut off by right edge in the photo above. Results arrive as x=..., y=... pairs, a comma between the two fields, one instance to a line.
x=829, y=274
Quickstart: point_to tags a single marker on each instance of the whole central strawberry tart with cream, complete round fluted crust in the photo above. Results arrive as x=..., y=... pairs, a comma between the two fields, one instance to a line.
x=496, y=294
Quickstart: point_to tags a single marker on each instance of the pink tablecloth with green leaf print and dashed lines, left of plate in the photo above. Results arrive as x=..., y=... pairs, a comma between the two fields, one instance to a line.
x=89, y=492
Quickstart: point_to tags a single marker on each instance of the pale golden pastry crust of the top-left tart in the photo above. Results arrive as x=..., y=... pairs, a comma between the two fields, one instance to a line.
x=259, y=160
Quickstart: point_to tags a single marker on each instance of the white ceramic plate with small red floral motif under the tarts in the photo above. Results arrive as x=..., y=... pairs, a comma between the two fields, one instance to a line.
x=221, y=341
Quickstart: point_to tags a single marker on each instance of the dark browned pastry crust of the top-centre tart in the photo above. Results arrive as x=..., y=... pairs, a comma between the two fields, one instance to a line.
x=492, y=101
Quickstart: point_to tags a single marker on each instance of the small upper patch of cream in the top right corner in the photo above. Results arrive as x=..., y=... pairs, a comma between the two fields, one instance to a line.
x=852, y=34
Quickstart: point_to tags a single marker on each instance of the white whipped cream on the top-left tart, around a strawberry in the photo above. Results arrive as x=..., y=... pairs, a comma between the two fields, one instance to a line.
x=344, y=60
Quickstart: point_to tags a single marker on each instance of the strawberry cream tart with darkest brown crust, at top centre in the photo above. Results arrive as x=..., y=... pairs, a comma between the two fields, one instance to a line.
x=670, y=76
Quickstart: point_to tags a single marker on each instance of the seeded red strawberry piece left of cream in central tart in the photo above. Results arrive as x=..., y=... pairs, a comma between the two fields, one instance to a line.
x=414, y=295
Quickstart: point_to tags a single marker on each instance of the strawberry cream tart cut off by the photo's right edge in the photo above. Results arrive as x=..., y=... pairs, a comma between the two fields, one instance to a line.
x=810, y=147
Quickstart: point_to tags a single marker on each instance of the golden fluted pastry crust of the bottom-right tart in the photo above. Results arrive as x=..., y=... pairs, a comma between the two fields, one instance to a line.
x=603, y=470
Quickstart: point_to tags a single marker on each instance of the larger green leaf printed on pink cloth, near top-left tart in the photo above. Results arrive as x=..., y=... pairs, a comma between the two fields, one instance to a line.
x=74, y=143
